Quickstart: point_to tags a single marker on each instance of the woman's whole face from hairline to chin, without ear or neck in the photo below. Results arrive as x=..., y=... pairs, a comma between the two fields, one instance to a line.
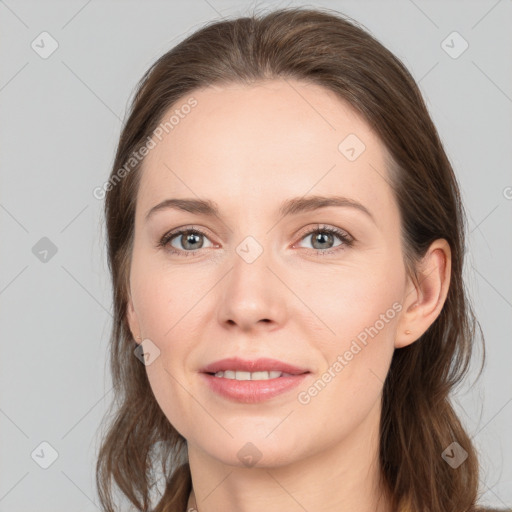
x=266, y=280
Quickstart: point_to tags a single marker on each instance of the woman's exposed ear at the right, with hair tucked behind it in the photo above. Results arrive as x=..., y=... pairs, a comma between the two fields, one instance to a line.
x=424, y=300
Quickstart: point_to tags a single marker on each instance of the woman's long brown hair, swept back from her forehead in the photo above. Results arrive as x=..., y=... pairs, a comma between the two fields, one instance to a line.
x=418, y=421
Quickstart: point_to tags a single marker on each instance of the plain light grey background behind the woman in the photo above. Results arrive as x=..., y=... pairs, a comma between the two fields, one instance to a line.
x=61, y=118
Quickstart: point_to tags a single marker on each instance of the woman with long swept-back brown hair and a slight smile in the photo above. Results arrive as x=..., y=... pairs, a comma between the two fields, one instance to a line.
x=286, y=242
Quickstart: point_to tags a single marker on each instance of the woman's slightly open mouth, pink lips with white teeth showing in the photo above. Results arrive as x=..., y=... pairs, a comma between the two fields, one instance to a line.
x=248, y=381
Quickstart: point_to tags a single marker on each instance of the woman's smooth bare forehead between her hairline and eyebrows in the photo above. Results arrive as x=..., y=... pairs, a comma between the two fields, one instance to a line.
x=262, y=143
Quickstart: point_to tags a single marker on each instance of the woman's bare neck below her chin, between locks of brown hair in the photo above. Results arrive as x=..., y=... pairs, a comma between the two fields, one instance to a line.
x=344, y=476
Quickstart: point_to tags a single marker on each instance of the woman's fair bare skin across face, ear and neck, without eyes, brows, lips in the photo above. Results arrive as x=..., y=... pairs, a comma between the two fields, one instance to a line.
x=249, y=148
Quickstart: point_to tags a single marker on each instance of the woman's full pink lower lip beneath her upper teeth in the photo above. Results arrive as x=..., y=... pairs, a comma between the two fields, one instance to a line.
x=252, y=391
